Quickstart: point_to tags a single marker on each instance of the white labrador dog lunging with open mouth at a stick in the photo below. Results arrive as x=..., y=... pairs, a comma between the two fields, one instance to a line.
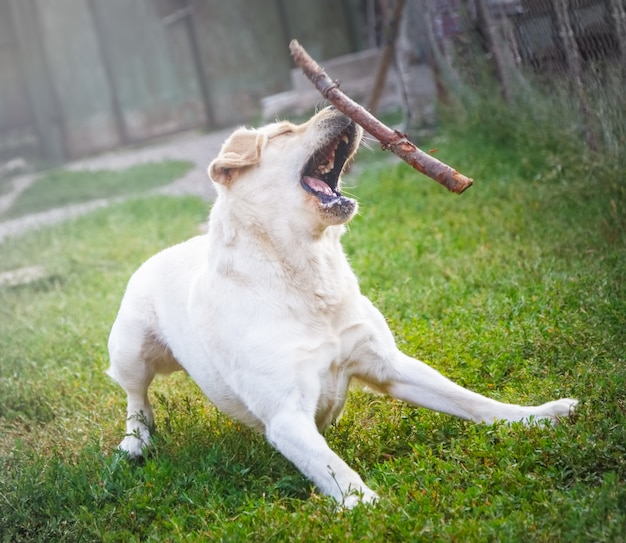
x=265, y=313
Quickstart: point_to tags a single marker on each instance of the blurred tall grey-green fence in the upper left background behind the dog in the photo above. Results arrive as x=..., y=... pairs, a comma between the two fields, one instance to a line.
x=81, y=76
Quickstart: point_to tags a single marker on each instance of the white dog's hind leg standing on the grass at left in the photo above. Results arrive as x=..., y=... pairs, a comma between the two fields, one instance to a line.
x=132, y=367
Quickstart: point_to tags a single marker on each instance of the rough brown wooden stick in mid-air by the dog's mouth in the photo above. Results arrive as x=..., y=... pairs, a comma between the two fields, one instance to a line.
x=390, y=139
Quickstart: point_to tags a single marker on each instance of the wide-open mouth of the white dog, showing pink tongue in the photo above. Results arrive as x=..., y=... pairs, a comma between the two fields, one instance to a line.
x=321, y=173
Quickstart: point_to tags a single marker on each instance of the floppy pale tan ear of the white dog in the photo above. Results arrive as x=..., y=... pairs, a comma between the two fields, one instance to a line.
x=243, y=148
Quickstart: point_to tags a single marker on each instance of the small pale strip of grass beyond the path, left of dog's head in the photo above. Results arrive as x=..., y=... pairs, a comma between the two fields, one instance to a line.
x=61, y=187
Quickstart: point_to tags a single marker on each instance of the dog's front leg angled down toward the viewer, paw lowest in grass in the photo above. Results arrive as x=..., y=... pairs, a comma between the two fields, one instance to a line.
x=297, y=438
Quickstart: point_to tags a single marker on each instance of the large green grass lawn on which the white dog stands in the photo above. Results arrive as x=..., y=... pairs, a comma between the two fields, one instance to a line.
x=515, y=289
